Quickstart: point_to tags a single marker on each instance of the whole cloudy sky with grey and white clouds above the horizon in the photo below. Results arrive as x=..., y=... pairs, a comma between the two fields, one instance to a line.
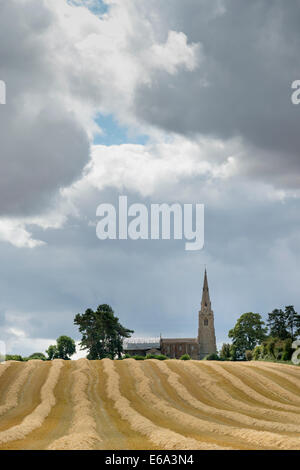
x=164, y=102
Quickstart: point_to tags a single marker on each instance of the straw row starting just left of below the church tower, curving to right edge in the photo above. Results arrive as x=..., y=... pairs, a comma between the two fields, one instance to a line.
x=221, y=396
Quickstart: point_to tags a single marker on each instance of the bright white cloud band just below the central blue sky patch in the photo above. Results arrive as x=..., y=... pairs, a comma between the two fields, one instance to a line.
x=152, y=169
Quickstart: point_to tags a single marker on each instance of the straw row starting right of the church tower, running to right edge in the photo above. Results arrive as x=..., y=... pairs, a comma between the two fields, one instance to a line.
x=269, y=385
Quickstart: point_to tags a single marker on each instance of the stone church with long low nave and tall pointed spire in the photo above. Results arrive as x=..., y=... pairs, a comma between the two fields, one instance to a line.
x=197, y=348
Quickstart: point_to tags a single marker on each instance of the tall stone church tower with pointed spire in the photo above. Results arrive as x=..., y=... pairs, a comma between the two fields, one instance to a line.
x=206, y=327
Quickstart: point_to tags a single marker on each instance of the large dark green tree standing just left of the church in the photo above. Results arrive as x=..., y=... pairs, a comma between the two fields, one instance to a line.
x=102, y=333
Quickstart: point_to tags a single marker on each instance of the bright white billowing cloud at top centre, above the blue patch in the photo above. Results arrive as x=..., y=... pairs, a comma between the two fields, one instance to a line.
x=101, y=61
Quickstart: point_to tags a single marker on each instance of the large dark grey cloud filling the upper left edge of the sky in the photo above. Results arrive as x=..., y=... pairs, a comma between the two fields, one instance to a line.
x=42, y=146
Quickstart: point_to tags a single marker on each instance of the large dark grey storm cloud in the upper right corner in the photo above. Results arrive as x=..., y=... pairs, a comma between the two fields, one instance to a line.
x=242, y=86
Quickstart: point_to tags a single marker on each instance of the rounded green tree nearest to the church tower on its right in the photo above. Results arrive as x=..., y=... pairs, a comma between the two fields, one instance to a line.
x=249, y=331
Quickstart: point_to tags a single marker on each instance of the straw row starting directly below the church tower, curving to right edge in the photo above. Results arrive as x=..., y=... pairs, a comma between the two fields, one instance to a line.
x=246, y=389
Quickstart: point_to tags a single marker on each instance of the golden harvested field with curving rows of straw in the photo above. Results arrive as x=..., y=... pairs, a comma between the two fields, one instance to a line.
x=149, y=405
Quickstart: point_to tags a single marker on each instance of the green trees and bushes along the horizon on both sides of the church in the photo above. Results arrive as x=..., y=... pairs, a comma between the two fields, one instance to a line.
x=252, y=338
